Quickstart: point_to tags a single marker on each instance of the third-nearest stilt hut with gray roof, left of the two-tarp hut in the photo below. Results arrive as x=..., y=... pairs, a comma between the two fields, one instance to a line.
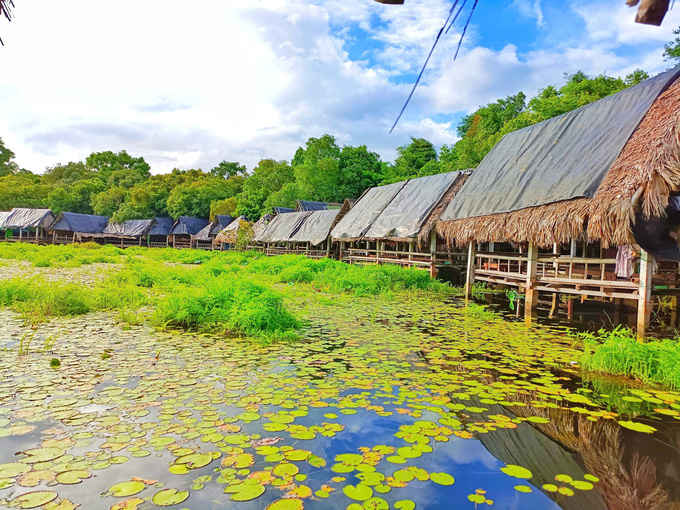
x=302, y=233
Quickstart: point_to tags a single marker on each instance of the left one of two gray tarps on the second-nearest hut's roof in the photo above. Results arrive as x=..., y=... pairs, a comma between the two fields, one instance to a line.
x=369, y=206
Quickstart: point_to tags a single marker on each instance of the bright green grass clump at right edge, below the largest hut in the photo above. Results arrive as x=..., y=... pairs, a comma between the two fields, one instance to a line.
x=619, y=352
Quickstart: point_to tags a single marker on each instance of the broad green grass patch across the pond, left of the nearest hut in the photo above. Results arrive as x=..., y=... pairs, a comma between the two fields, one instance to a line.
x=233, y=292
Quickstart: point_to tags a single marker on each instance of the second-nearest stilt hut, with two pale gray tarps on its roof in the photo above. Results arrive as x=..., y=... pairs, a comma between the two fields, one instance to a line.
x=392, y=224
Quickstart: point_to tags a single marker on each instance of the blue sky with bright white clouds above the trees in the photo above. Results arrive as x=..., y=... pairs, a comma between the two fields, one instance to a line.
x=244, y=80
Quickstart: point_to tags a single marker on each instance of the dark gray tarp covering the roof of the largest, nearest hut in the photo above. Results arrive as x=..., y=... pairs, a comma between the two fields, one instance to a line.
x=559, y=159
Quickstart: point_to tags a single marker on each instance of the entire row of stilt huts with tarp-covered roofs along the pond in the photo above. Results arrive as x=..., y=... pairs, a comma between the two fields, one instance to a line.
x=584, y=205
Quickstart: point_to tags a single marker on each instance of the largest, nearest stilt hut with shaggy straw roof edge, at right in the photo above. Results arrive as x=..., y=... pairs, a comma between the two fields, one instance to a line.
x=579, y=204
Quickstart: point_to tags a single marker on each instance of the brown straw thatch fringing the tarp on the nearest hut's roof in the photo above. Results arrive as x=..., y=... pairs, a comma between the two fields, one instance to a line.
x=641, y=178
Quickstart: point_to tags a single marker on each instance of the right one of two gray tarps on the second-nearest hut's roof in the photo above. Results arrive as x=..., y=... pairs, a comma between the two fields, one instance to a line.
x=405, y=215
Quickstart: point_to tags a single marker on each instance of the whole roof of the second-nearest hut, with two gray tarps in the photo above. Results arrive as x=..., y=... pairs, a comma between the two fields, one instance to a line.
x=397, y=212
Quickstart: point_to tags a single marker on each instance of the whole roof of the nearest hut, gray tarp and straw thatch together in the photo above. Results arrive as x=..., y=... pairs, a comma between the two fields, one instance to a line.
x=579, y=175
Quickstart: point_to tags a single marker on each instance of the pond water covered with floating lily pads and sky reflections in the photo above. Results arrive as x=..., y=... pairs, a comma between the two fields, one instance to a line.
x=397, y=404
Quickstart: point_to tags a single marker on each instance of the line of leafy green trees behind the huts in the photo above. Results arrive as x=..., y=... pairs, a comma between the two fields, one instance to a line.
x=121, y=185
